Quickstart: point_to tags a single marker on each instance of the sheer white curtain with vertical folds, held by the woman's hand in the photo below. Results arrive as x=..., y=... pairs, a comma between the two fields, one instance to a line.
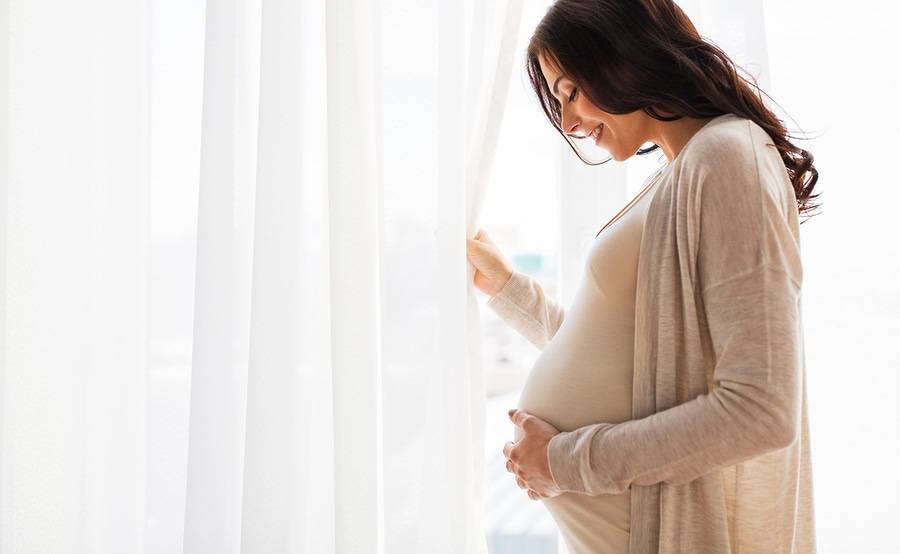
x=333, y=307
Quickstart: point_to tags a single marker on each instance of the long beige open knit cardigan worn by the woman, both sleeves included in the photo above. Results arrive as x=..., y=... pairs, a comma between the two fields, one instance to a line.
x=717, y=453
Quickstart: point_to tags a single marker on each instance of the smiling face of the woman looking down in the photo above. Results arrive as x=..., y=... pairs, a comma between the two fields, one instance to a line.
x=622, y=135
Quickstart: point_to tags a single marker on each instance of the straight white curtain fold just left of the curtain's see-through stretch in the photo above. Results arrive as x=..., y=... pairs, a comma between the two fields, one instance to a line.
x=355, y=269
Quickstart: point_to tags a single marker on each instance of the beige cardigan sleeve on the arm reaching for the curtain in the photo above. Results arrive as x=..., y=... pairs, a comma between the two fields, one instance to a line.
x=525, y=307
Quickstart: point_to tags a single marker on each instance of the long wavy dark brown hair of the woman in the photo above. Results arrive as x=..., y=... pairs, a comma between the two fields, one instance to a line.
x=628, y=55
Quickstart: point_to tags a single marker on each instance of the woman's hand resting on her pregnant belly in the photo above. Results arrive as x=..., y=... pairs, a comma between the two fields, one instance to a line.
x=528, y=458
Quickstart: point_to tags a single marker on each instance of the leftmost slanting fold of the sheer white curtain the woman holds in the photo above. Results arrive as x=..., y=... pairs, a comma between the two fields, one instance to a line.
x=222, y=299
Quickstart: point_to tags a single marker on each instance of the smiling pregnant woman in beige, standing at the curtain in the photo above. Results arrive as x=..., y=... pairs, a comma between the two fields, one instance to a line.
x=667, y=409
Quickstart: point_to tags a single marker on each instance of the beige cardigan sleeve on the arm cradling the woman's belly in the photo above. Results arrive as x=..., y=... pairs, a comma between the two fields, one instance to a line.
x=749, y=274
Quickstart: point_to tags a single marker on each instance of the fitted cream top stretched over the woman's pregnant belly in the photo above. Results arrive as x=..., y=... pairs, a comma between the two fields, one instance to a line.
x=584, y=374
